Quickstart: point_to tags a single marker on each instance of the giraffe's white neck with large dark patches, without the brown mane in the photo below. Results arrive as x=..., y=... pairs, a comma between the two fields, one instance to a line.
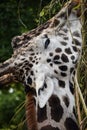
x=59, y=111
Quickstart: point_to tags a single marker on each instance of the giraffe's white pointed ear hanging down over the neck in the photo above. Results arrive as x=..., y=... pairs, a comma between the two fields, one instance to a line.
x=45, y=92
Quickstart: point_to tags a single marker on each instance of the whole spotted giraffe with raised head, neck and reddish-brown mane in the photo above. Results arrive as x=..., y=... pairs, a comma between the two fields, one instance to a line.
x=44, y=61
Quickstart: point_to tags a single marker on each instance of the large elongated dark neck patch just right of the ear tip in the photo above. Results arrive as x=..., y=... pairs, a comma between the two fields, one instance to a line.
x=56, y=108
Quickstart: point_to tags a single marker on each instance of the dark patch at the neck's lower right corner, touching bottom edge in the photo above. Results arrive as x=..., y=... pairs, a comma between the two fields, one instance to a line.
x=70, y=124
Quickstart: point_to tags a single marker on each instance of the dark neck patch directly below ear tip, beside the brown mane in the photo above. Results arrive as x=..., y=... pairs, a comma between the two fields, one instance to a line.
x=41, y=114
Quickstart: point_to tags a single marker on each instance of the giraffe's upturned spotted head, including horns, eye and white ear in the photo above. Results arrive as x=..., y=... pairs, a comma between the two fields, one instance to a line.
x=44, y=55
